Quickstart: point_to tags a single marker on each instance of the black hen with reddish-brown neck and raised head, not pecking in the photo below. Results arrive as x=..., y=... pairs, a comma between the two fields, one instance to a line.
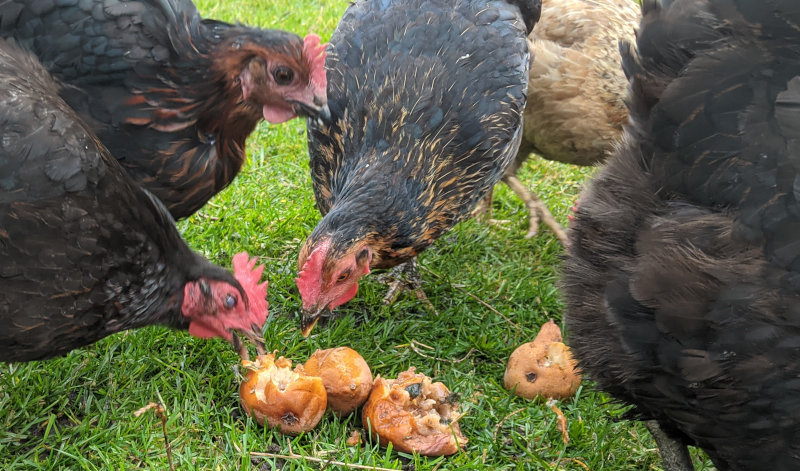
x=171, y=95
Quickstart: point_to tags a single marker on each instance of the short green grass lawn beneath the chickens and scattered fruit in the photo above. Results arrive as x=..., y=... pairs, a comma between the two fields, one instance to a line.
x=77, y=412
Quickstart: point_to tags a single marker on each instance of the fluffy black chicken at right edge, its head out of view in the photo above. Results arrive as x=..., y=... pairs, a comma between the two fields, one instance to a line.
x=682, y=280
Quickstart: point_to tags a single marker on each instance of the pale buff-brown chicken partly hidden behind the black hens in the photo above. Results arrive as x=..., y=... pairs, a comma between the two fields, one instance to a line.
x=576, y=92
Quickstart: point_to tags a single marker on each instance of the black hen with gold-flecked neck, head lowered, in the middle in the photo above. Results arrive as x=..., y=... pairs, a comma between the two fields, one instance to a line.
x=426, y=101
